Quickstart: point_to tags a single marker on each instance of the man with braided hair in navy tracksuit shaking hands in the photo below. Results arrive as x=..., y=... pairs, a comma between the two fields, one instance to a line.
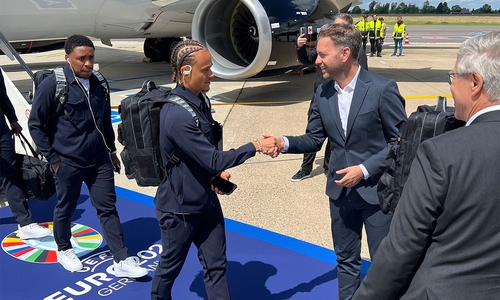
x=187, y=206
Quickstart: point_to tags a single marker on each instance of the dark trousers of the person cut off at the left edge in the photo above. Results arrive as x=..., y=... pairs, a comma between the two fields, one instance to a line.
x=10, y=179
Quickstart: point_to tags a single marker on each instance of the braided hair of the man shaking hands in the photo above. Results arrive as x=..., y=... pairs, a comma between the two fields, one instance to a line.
x=182, y=55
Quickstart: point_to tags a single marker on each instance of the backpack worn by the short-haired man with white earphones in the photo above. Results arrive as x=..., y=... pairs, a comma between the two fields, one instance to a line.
x=62, y=86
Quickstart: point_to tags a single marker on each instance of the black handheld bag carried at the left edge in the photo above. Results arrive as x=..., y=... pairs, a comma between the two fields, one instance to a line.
x=37, y=179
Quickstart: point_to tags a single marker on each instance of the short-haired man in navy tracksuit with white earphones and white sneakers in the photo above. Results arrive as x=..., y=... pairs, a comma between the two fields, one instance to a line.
x=78, y=142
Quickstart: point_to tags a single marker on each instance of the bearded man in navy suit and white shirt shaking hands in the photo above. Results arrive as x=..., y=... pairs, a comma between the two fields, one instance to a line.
x=358, y=112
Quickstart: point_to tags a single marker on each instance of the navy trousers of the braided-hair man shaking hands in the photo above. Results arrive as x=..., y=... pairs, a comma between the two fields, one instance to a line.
x=207, y=232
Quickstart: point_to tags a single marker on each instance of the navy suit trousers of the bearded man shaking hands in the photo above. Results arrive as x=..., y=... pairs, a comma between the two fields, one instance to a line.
x=348, y=214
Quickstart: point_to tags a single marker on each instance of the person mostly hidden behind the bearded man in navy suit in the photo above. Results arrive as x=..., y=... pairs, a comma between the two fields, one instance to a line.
x=309, y=57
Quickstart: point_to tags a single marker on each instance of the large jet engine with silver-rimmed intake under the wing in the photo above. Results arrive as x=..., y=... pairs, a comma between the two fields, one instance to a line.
x=246, y=37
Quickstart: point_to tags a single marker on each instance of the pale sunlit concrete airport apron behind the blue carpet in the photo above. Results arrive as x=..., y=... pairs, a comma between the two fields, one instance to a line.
x=268, y=103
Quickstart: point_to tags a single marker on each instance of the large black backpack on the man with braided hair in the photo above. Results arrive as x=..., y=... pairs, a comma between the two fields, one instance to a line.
x=139, y=133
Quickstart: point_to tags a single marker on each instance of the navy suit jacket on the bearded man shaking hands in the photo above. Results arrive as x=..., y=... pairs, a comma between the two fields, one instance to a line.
x=377, y=106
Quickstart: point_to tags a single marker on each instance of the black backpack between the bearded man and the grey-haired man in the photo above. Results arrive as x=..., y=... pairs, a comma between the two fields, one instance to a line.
x=426, y=122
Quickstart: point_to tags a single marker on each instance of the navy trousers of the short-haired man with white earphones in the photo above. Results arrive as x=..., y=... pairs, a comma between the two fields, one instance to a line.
x=100, y=181
